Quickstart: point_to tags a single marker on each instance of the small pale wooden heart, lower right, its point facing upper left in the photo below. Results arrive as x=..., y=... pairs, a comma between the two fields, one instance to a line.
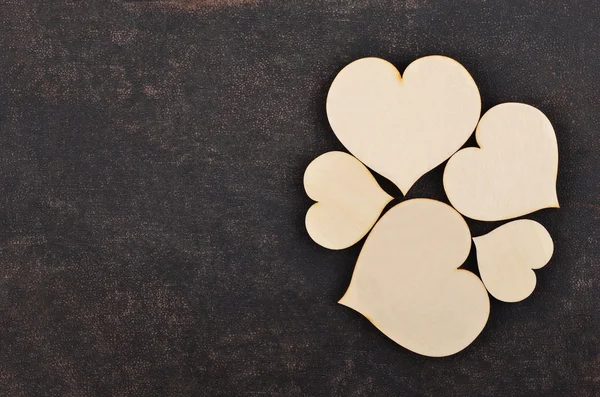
x=507, y=255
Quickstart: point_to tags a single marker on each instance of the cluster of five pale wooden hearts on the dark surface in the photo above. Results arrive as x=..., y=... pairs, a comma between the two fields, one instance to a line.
x=406, y=280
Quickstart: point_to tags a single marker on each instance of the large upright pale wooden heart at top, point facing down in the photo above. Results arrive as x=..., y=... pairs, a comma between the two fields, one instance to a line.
x=402, y=127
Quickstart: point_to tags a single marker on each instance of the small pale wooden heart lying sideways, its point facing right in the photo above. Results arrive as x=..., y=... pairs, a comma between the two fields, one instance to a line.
x=349, y=200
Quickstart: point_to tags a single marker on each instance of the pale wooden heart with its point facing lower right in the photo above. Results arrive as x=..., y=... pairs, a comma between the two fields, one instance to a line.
x=513, y=173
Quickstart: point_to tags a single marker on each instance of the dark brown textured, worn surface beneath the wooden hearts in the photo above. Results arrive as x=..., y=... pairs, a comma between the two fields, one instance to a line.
x=151, y=202
